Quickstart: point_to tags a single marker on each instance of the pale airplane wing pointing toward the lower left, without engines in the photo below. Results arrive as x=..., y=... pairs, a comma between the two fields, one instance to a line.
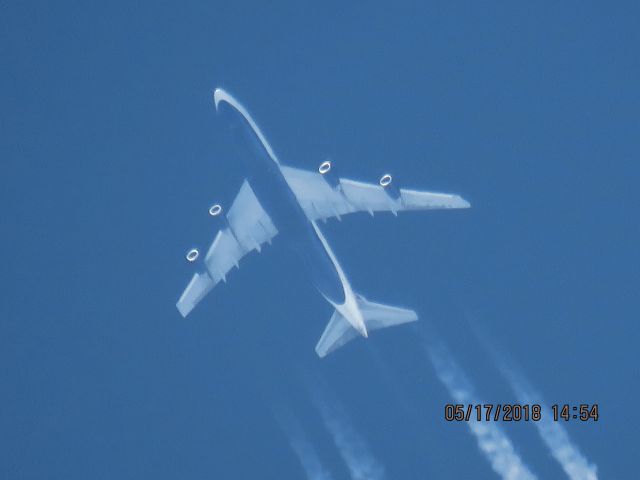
x=249, y=228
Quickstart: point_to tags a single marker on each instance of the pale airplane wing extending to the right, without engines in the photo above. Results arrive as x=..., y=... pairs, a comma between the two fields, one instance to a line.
x=321, y=200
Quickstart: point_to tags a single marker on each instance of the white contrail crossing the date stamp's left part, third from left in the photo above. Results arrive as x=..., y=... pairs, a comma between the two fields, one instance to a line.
x=492, y=441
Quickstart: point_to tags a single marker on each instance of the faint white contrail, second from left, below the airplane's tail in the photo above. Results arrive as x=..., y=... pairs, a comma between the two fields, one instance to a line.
x=353, y=449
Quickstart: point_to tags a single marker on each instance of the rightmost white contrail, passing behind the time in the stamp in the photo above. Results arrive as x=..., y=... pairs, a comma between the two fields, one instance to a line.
x=553, y=434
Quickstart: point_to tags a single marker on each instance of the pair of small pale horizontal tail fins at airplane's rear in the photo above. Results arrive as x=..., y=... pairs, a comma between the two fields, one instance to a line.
x=376, y=316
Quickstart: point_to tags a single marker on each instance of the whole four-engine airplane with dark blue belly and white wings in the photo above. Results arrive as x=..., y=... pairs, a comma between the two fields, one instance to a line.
x=279, y=199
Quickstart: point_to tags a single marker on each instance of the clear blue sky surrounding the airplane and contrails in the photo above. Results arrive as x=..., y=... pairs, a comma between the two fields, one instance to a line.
x=111, y=153
